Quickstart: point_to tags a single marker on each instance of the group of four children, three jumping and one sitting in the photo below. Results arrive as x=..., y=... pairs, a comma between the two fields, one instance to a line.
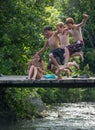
x=60, y=49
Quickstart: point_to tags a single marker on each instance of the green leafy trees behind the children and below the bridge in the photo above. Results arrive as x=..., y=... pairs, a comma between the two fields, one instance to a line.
x=21, y=34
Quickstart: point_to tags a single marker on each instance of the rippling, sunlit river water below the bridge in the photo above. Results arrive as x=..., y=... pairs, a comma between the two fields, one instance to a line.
x=66, y=116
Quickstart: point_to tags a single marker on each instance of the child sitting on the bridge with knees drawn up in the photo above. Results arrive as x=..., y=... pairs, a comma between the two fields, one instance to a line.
x=36, y=68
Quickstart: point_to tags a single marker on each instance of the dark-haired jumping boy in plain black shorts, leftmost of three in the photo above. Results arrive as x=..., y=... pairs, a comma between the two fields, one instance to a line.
x=56, y=53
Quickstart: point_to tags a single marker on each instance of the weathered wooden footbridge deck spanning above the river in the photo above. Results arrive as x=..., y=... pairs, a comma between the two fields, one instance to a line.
x=22, y=81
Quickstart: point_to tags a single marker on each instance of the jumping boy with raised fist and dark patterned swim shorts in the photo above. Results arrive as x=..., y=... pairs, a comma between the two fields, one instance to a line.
x=75, y=30
